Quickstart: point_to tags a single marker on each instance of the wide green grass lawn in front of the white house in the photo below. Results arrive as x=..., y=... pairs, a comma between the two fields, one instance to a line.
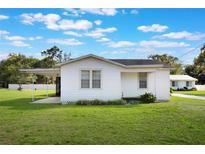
x=180, y=121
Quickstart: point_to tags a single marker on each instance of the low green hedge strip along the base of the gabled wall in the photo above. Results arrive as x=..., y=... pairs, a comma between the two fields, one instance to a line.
x=100, y=102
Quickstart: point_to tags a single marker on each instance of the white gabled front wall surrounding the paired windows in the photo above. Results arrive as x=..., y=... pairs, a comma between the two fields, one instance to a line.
x=71, y=76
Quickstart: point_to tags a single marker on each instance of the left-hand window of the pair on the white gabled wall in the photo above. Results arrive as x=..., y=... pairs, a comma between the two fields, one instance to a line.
x=85, y=79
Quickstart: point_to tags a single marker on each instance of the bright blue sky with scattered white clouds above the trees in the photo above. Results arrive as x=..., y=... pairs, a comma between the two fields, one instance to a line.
x=111, y=33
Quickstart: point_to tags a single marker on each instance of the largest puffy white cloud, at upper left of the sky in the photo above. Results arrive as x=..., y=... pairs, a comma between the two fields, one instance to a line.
x=54, y=22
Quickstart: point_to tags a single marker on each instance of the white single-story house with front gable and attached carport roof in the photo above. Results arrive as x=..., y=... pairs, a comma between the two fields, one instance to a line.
x=93, y=77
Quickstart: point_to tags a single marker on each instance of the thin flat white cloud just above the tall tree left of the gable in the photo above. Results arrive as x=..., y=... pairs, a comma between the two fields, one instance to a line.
x=70, y=42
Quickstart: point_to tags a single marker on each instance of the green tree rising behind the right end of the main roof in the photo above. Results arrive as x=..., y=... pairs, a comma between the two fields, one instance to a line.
x=171, y=60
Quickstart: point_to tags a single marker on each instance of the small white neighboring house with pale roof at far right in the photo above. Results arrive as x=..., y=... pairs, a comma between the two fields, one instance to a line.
x=181, y=81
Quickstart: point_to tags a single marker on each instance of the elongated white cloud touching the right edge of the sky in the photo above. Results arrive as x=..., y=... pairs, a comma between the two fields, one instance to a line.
x=182, y=35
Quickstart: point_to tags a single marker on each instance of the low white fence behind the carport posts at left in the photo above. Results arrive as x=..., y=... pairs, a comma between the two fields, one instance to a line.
x=30, y=86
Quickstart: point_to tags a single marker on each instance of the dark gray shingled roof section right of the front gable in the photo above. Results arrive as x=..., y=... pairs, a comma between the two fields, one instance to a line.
x=129, y=62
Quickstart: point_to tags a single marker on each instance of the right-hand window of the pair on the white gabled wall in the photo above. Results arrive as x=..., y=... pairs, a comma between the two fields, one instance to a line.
x=96, y=79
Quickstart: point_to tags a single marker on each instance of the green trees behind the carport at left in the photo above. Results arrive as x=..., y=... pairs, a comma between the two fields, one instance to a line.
x=10, y=66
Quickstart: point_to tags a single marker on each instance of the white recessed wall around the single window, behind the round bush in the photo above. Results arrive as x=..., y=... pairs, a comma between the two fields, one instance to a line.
x=157, y=83
